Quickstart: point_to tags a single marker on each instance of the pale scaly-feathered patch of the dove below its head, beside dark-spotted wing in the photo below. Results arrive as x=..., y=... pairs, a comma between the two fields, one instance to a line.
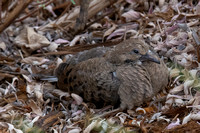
x=135, y=85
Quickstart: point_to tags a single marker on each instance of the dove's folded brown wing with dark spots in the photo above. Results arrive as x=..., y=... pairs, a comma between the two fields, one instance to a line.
x=95, y=79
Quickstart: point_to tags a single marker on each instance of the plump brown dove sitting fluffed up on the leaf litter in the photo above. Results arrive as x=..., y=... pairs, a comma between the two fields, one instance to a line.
x=126, y=75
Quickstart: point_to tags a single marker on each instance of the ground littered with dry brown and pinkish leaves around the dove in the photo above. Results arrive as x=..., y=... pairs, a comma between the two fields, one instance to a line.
x=36, y=36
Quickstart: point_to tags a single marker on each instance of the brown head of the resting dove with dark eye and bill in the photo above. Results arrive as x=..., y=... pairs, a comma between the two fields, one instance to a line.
x=131, y=51
